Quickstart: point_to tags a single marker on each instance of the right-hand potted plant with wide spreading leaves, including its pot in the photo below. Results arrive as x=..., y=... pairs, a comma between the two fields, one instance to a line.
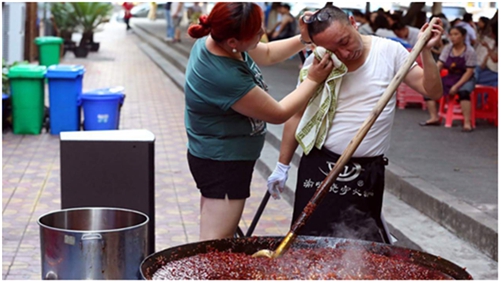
x=89, y=16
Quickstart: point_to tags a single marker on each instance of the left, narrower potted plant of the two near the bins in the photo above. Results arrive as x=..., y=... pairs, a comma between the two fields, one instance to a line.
x=65, y=22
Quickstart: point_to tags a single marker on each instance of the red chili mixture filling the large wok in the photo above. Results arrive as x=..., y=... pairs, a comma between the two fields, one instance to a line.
x=297, y=264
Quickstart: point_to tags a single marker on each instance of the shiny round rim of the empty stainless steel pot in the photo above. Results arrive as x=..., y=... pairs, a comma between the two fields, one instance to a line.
x=144, y=223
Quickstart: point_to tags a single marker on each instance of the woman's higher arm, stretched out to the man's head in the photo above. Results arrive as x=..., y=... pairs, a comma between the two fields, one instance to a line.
x=266, y=54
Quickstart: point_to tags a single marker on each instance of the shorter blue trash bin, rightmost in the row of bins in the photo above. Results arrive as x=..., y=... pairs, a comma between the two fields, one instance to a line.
x=101, y=108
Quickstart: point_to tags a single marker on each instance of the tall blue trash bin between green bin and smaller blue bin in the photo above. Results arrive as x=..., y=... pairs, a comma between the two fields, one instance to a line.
x=65, y=89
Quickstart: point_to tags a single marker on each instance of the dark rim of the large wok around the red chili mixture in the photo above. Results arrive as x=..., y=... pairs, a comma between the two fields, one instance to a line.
x=250, y=245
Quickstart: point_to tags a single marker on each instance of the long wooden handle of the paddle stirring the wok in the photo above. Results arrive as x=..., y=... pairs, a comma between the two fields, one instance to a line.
x=355, y=142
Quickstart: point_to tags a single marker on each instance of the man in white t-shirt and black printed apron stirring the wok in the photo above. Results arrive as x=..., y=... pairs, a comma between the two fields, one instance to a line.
x=354, y=201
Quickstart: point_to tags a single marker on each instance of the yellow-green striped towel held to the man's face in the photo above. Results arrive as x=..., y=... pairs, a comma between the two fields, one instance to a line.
x=319, y=114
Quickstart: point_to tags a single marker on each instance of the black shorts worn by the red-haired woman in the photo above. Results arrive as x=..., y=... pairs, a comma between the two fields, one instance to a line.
x=222, y=179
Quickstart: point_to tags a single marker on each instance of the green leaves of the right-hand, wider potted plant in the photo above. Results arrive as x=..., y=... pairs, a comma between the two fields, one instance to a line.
x=90, y=15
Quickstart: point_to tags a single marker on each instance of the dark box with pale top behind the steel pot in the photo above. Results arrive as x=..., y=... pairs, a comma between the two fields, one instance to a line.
x=110, y=169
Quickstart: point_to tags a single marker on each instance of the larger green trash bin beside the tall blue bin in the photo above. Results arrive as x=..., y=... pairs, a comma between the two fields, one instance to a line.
x=27, y=98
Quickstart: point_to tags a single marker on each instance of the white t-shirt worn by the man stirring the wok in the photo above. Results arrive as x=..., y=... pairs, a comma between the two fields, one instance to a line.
x=359, y=93
